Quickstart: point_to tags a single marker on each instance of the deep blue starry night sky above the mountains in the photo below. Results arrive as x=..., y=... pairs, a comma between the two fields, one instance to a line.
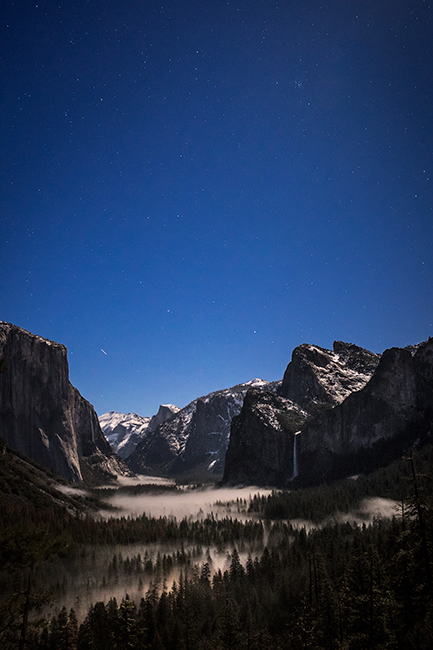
x=192, y=189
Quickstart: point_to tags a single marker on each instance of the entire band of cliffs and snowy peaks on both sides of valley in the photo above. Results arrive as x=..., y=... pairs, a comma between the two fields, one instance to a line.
x=335, y=413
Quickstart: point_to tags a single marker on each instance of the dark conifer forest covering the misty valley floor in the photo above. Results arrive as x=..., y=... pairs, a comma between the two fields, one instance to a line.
x=279, y=571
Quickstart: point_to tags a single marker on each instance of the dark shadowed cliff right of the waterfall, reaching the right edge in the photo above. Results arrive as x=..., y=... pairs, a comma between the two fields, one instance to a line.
x=377, y=423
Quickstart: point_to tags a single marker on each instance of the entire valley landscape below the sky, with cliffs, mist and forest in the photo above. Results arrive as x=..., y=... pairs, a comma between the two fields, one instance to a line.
x=287, y=514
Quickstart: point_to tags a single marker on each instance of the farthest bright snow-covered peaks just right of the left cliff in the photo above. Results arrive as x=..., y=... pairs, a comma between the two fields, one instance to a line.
x=125, y=430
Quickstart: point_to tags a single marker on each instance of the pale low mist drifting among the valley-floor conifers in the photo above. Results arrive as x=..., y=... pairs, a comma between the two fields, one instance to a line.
x=101, y=573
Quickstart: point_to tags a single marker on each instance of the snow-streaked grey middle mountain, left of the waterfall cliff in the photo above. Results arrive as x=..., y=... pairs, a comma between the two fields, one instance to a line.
x=192, y=443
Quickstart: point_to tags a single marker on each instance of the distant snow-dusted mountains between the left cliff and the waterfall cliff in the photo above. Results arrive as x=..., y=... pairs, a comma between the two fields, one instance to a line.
x=188, y=443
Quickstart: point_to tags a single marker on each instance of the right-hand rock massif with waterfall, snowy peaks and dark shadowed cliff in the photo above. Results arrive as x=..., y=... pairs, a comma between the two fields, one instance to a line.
x=360, y=411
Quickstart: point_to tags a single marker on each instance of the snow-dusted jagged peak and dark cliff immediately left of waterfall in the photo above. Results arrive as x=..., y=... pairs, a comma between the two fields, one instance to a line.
x=316, y=379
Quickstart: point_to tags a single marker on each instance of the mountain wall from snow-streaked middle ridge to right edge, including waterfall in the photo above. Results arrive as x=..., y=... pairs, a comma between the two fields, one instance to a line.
x=323, y=420
